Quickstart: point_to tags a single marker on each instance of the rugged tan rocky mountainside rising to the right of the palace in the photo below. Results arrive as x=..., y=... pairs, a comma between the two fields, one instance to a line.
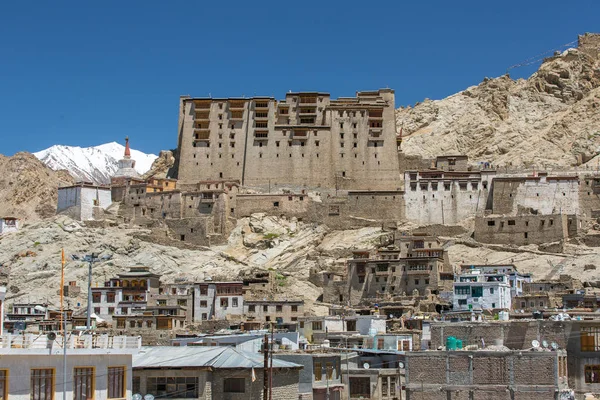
x=550, y=119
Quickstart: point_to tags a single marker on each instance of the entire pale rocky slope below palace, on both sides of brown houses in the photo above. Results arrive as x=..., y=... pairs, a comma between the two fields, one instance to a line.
x=30, y=259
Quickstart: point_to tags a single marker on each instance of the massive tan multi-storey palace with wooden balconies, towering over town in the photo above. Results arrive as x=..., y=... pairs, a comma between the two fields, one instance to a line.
x=307, y=140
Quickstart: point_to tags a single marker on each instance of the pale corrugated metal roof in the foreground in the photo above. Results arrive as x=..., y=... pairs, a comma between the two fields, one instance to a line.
x=209, y=357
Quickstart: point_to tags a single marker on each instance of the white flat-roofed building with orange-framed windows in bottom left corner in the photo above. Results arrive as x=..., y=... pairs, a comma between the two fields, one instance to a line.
x=98, y=367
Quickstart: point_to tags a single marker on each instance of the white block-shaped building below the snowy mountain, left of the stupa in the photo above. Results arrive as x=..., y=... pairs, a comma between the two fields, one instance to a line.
x=83, y=201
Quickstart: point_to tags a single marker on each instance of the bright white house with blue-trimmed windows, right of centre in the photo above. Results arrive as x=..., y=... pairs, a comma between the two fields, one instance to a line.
x=476, y=290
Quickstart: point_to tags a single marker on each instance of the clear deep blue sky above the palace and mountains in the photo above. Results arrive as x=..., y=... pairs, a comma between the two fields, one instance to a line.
x=85, y=73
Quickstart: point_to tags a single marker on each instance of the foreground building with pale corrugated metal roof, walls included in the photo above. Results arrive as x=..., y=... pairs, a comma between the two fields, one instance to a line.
x=207, y=373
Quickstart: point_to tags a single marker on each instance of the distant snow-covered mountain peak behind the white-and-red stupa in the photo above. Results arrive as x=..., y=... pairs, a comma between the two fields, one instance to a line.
x=92, y=164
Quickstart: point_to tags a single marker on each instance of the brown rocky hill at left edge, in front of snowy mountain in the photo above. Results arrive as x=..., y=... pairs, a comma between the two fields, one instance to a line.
x=29, y=188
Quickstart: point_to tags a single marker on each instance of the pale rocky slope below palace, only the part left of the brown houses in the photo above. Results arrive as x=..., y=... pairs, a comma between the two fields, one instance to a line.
x=30, y=259
